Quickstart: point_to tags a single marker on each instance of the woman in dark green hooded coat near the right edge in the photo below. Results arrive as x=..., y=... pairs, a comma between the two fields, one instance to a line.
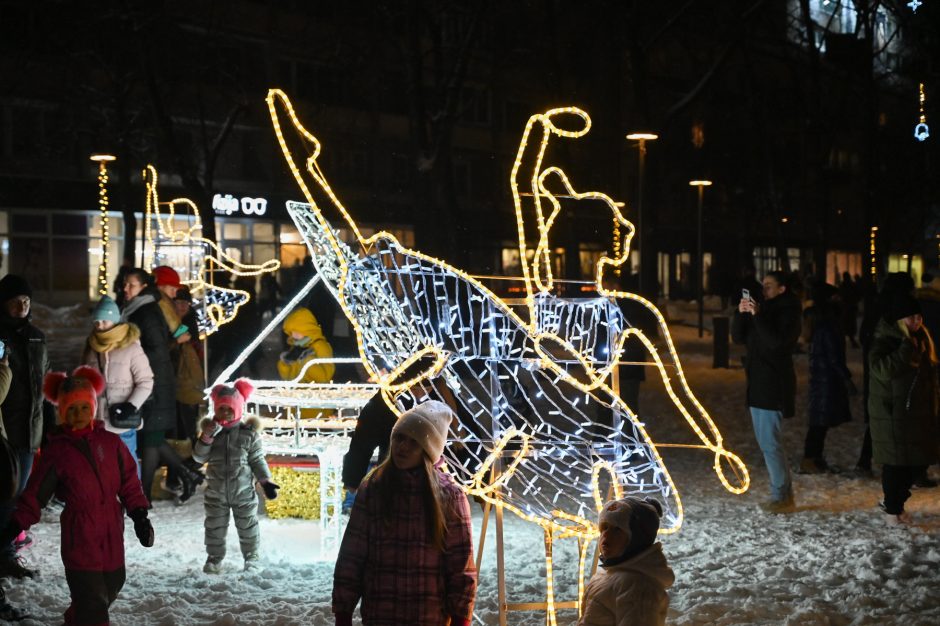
x=903, y=402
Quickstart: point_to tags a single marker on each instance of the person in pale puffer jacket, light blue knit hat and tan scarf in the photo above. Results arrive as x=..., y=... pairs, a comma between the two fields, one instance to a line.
x=114, y=349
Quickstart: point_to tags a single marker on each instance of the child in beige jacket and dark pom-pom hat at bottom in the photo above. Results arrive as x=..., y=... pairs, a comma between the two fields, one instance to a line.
x=630, y=587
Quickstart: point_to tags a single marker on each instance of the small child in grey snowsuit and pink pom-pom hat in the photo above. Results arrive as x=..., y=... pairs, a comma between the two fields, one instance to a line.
x=231, y=445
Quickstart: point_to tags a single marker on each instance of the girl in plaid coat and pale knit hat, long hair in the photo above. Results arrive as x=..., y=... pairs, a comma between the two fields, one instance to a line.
x=408, y=552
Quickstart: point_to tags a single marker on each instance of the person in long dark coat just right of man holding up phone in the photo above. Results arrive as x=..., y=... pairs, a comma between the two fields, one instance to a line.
x=829, y=378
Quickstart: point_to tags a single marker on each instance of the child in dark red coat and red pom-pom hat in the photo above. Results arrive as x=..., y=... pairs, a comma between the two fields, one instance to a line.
x=93, y=472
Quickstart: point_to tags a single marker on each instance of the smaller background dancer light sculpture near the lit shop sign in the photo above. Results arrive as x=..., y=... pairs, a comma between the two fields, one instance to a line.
x=214, y=305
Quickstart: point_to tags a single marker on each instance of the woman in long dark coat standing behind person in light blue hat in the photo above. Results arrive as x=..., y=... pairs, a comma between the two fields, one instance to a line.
x=159, y=412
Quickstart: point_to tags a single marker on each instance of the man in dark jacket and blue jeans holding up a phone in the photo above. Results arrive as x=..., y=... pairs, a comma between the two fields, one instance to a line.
x=771, y=330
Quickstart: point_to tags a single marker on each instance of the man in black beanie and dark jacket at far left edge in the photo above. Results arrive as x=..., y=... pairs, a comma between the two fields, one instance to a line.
x=23, y=407
